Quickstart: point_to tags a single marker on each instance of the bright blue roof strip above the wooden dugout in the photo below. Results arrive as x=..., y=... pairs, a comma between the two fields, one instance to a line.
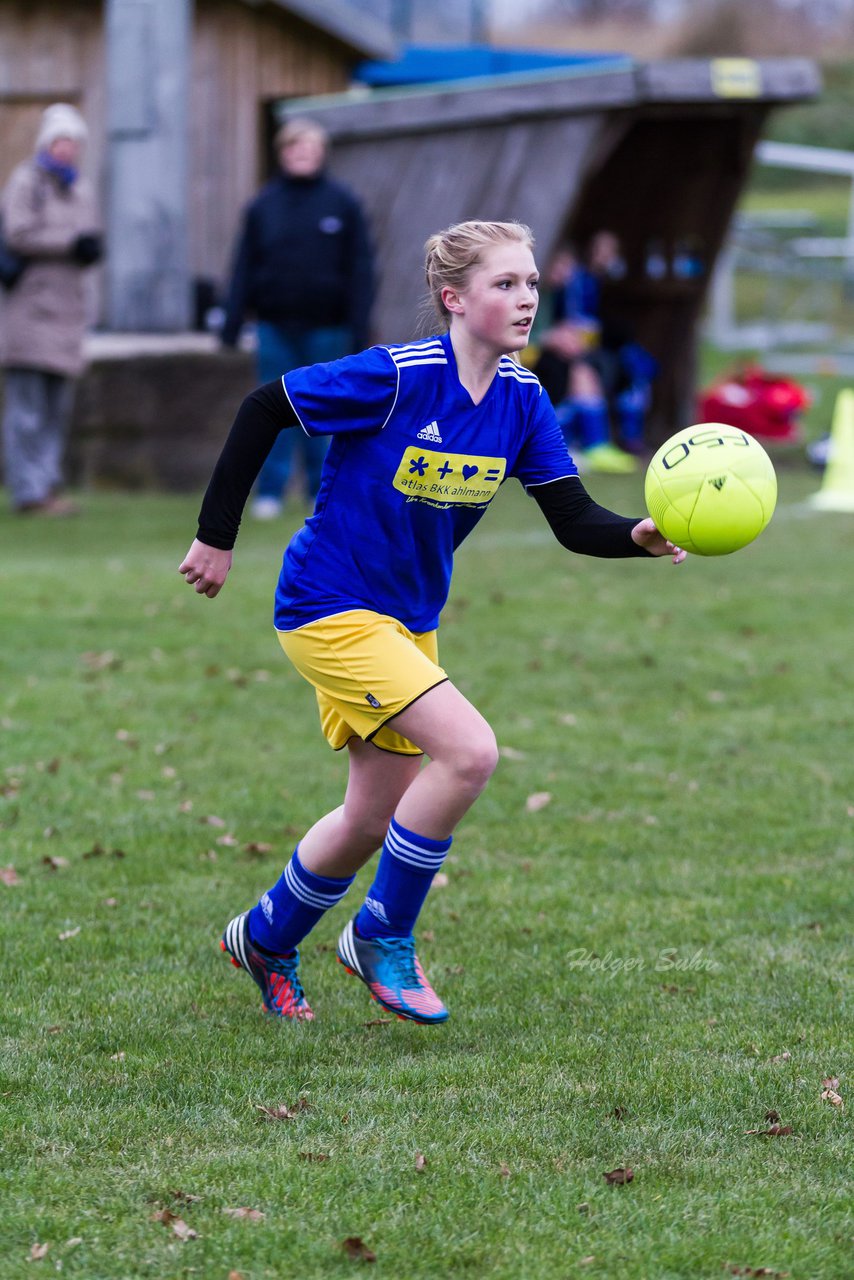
x=422, y=65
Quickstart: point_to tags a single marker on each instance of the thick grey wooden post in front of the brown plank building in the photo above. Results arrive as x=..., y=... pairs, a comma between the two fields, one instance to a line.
x=148, y=74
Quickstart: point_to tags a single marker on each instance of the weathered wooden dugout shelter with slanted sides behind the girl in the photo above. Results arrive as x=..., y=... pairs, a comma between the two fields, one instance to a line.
x=657, y=153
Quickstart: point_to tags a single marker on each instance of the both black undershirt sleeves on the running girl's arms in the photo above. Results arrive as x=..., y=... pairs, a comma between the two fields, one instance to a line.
x=578, y=523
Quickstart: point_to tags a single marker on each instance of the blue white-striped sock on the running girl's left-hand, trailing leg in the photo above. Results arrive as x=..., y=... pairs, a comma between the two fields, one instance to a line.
x=294, y=906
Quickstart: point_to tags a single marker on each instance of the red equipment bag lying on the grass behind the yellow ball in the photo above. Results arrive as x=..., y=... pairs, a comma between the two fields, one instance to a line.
x=765, y=405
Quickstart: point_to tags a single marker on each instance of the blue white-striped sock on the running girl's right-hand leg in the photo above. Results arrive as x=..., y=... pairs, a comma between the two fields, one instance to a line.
x=404, y=876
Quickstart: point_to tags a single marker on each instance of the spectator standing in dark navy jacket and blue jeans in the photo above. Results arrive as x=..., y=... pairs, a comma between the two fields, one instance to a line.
x=304, y=269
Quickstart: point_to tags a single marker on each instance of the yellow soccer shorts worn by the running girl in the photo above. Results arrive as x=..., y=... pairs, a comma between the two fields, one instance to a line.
x=366, y=669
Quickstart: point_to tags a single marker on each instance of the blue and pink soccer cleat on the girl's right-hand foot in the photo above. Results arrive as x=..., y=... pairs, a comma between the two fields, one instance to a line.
x=392, y=973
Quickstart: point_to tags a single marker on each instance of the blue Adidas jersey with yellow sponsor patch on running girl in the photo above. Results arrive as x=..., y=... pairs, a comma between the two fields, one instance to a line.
x=412, y=469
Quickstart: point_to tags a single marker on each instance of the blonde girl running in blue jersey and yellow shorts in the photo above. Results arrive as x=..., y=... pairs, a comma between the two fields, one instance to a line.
x=423, y=435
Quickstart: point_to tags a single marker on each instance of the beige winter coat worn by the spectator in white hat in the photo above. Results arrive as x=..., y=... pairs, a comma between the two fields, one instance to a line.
x=44, y=317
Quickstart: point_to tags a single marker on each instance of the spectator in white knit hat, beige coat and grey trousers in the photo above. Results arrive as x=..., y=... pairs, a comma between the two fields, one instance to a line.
x=49, y=220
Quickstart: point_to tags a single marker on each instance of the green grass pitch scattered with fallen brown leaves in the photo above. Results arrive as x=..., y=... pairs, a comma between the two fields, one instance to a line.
x=641, y=972
